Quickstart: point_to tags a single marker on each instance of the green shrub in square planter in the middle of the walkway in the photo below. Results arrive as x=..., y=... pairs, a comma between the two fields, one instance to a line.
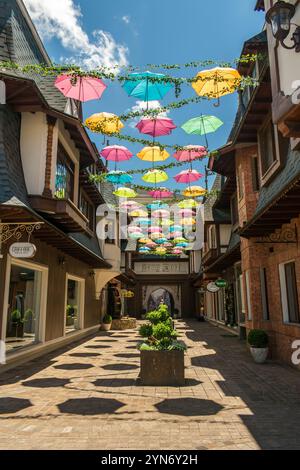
x=162, y=356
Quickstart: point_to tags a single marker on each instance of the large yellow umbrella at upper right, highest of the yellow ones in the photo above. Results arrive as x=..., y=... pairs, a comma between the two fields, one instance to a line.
x=217, y=82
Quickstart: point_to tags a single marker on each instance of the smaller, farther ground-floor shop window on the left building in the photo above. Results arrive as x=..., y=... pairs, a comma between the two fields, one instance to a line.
x=74, y=304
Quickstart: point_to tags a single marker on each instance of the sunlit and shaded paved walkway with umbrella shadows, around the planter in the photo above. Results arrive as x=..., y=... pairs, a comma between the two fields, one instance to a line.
x=86, y=397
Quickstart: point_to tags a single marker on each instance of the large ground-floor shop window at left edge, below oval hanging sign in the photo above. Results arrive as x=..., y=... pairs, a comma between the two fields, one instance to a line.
x=27, y=296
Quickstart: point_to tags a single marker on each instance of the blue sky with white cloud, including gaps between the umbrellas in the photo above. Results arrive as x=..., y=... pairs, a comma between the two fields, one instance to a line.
x=150, y=31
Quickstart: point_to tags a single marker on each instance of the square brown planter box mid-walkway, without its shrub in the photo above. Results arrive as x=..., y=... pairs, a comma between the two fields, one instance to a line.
x=162, y=368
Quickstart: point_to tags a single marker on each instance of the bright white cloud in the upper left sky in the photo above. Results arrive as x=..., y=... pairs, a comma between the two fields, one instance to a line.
x=61, y=19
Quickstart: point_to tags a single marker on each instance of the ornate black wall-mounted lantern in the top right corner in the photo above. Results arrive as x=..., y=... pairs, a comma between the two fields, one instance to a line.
x=279, y=17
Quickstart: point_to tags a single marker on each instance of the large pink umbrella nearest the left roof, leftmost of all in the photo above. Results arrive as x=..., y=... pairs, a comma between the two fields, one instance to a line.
x=80, y=88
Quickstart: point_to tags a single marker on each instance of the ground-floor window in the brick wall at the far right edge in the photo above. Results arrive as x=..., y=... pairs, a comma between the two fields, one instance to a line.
x=289, y=293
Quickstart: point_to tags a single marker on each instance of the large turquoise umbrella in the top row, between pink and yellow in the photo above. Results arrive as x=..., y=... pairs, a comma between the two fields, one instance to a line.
x=147, y=86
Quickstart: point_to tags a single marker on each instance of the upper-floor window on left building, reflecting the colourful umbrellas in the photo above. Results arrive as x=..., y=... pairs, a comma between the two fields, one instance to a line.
x=65, y=169
